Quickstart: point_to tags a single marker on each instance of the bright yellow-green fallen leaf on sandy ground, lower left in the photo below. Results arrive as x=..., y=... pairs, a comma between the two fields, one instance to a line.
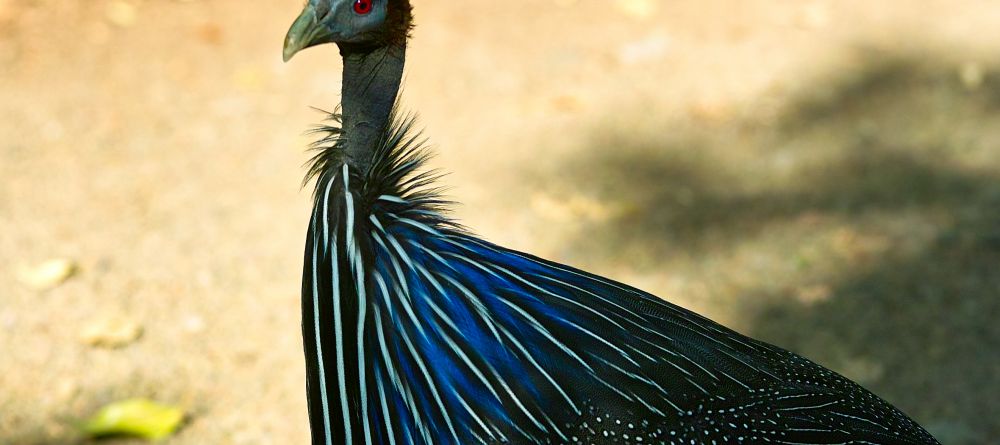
x=135, y=418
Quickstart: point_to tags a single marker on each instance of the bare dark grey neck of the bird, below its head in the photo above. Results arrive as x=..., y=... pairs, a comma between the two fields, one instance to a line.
x=372, y=77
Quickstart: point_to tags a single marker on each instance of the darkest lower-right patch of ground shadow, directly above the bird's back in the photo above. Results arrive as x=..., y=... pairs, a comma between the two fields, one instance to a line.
x=917, y=329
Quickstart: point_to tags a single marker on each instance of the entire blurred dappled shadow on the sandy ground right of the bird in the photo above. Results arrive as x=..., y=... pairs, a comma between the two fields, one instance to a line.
x=867, y=210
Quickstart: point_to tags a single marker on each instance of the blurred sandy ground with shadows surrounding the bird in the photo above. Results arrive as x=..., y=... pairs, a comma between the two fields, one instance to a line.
x=820, y=174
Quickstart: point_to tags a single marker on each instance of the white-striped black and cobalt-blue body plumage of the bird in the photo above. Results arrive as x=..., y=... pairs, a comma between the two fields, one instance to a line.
x=414, y=289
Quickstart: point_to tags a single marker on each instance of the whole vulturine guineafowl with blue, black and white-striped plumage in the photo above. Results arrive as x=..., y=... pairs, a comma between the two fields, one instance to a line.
x=418, y=332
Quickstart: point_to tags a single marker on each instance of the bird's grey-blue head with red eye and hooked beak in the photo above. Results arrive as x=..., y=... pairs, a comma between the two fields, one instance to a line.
x=348, y=23
